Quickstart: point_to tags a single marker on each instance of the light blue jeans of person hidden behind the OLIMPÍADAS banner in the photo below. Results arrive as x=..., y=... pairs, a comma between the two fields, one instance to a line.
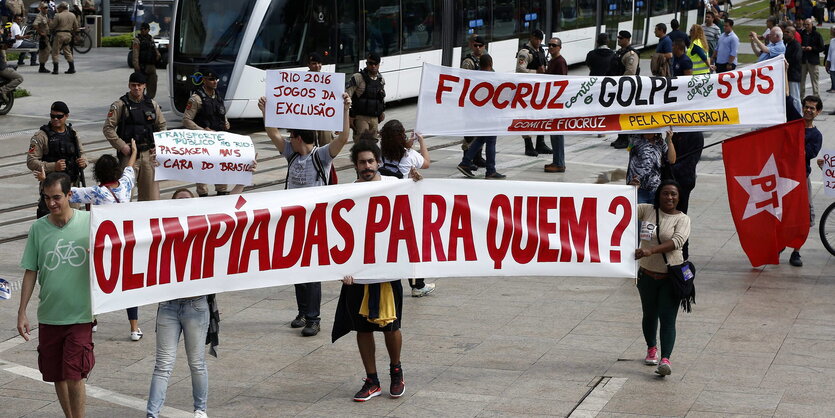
x=189, y=316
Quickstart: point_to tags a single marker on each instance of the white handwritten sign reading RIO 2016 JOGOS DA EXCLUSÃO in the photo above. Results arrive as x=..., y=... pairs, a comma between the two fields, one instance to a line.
x=304, y=100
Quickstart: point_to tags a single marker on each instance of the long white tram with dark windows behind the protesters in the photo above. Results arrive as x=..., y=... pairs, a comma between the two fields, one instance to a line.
x=239, y=40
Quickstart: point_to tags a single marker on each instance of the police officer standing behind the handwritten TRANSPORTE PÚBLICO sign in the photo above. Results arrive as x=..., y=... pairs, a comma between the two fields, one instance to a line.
x=205, y=111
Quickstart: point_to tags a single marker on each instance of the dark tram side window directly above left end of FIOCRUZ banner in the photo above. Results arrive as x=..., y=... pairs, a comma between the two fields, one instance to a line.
x=420, y=30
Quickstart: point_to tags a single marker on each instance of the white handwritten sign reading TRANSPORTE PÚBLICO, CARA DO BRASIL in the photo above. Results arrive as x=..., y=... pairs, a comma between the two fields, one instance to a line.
x=204, y=156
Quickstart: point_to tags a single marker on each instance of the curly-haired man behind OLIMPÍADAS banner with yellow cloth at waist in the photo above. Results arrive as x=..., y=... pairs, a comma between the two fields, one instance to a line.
x=369, y=308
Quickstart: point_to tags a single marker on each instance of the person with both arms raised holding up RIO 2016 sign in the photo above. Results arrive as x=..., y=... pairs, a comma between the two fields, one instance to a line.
x=308, y=166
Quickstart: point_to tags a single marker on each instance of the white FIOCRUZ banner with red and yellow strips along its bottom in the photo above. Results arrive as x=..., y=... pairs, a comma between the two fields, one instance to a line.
x=458, y=102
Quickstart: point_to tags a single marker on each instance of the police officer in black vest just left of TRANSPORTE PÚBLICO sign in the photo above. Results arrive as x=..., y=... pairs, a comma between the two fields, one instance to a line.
x=134, y=116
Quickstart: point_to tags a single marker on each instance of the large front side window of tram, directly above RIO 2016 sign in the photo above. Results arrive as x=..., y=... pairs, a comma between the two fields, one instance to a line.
x=285, y=36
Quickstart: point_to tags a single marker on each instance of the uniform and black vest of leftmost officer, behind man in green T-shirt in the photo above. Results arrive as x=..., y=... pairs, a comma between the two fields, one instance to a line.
x=47, y=147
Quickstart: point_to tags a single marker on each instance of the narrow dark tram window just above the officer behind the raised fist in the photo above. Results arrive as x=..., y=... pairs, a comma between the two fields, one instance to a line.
x=382, y=26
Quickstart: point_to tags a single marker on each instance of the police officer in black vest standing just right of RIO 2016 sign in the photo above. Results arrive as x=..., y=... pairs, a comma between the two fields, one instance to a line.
x=367, y=91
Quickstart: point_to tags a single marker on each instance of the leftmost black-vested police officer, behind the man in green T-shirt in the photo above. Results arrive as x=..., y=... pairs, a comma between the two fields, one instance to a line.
x=56, y=147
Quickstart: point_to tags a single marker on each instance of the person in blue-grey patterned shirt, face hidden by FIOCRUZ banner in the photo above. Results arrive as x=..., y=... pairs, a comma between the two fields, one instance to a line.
x=645, y=162
